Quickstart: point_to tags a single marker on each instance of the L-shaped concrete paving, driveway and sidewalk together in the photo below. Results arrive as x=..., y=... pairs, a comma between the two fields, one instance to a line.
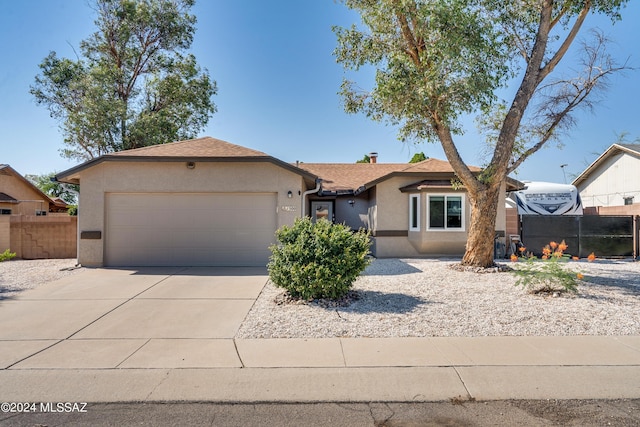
x=167, y=334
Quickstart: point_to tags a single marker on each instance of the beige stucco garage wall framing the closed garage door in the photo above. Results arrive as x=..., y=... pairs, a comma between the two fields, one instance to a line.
x=158, y=177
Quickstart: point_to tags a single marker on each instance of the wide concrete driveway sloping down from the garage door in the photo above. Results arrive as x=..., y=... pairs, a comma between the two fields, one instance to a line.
x=130, y=318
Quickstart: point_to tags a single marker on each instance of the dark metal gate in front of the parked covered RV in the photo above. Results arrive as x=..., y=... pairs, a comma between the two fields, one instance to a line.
x=606, y=236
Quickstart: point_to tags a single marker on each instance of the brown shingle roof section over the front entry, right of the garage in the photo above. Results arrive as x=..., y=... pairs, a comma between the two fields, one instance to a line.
x=342, y=177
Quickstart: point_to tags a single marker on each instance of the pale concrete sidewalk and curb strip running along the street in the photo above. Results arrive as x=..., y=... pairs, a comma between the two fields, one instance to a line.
x=353, y=370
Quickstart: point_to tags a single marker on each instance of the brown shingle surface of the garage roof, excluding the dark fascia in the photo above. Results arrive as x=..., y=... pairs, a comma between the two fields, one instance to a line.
x=201, y=147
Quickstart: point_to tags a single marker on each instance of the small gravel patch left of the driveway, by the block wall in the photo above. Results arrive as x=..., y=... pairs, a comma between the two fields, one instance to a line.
x=18, y=275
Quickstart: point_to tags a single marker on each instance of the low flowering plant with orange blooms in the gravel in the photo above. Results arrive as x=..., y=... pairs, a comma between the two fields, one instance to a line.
x=549, y=274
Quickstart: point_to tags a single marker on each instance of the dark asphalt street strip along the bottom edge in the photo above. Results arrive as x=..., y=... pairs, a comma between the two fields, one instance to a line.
x=431, y=414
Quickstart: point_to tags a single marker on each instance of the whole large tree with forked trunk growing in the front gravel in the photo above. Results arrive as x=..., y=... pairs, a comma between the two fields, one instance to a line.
x=438, y=60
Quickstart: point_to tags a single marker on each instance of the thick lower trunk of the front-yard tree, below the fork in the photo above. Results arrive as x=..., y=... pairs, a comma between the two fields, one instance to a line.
x=480, y=241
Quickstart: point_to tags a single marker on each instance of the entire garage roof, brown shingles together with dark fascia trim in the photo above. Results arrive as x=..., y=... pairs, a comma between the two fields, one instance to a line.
x=205, y=149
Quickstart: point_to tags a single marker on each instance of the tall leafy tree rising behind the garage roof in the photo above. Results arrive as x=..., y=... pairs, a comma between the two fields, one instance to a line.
x=134, y=83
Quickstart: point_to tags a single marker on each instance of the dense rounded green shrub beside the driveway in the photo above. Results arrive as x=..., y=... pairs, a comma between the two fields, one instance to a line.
x=318, y=260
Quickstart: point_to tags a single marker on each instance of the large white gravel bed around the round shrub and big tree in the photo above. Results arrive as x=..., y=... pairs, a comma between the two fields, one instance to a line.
x=425, y=297
